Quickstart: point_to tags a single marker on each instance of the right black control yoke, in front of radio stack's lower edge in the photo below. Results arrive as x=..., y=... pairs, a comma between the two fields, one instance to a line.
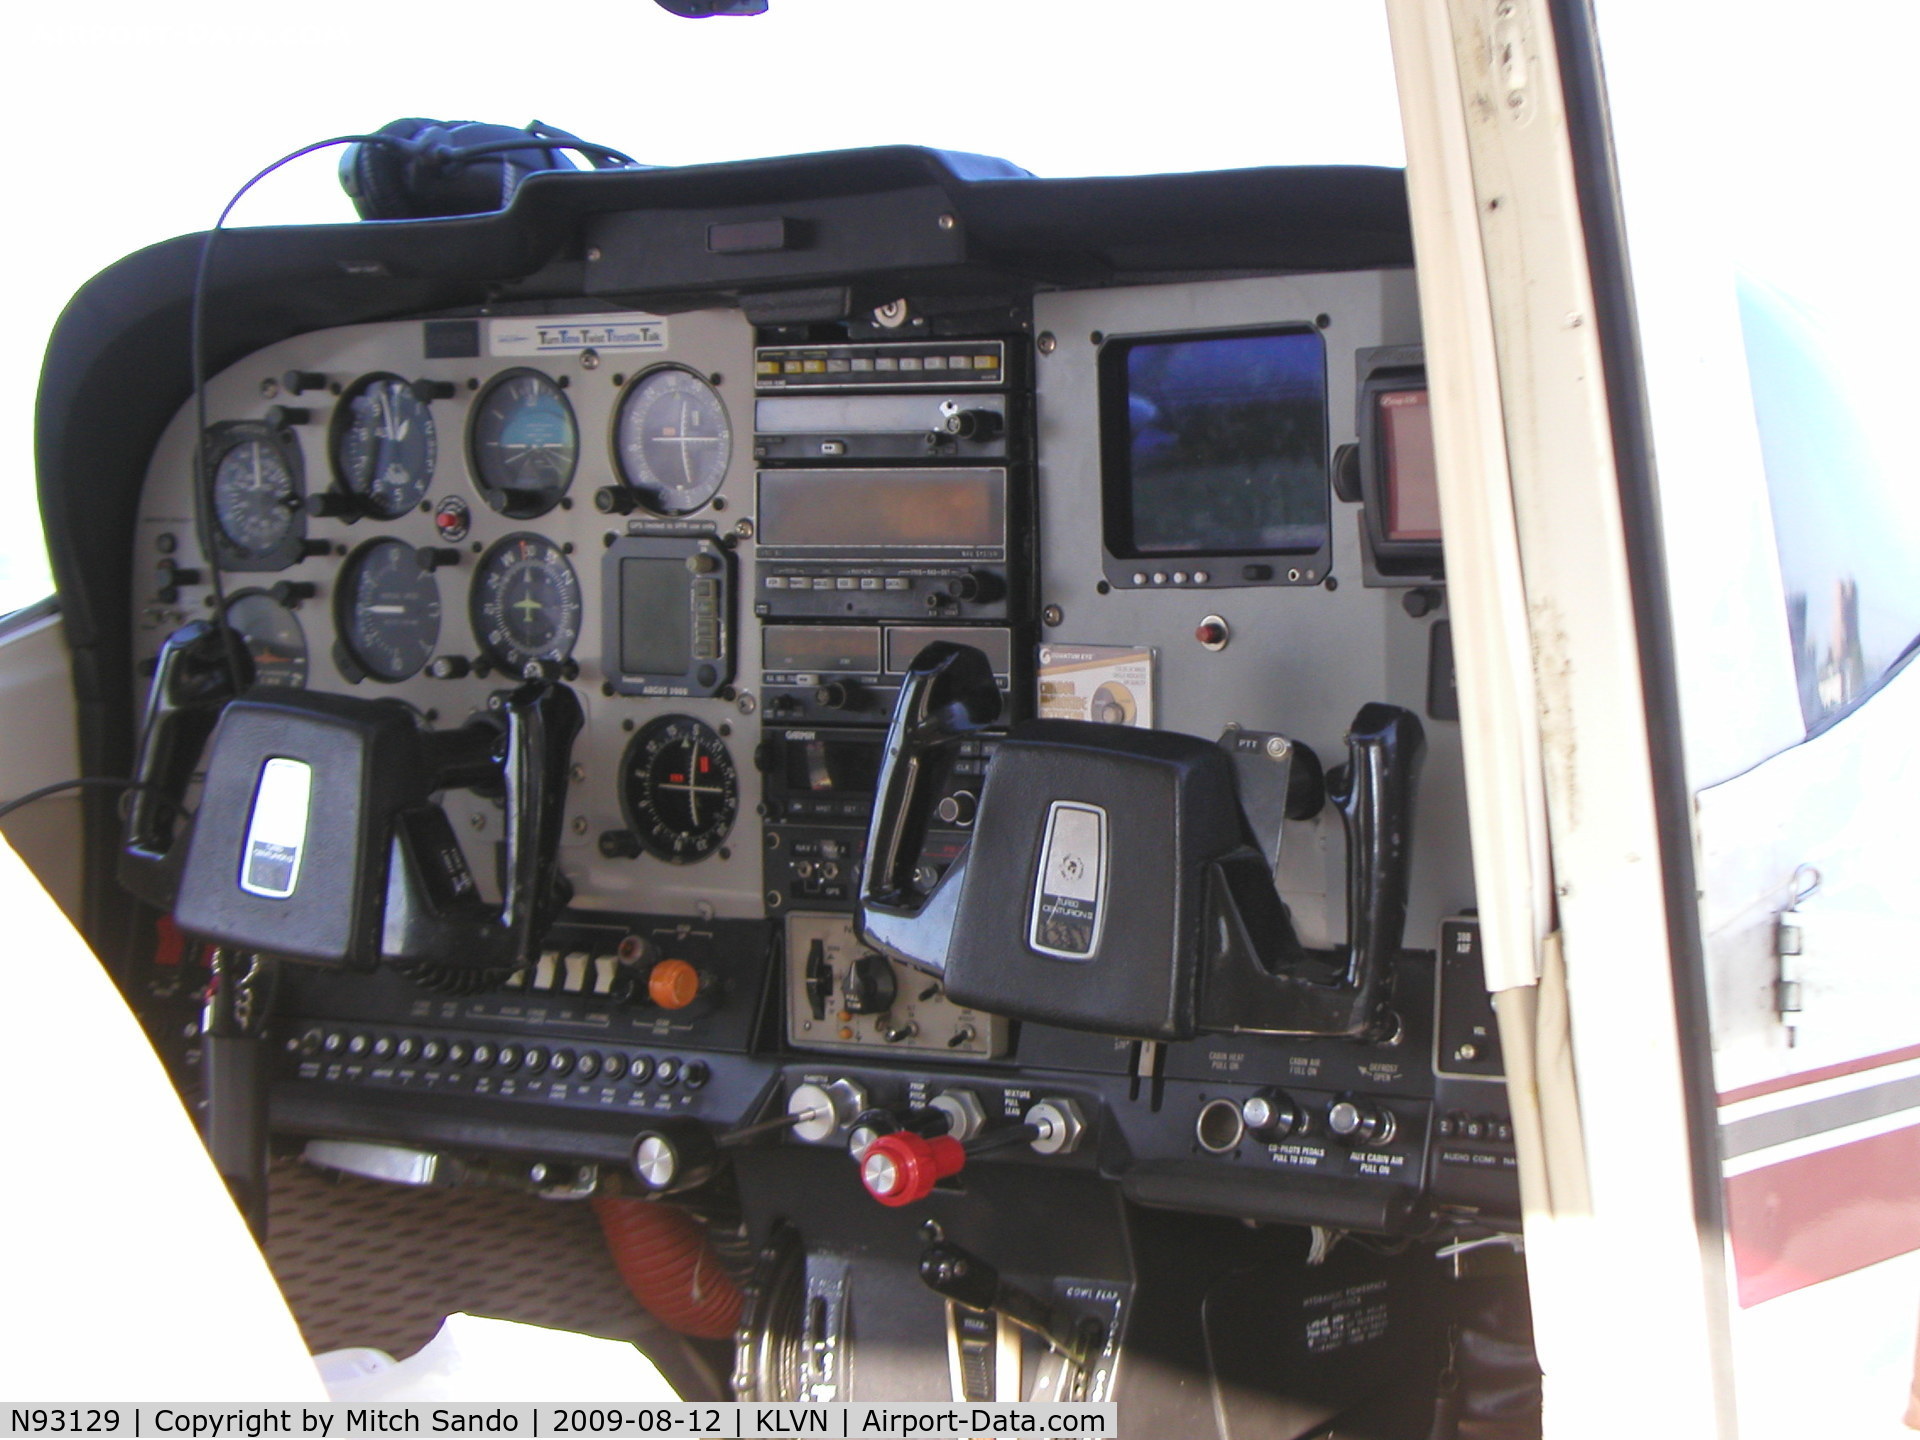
x=1113, y=886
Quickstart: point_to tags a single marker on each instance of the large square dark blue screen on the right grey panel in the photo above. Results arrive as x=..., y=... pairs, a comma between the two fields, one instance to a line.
x=1216, y=444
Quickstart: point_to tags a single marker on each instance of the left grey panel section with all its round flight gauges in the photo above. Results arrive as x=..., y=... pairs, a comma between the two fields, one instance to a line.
x=439, y=512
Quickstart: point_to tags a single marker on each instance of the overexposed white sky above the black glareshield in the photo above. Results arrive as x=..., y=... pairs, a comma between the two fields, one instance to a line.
x=135, y=124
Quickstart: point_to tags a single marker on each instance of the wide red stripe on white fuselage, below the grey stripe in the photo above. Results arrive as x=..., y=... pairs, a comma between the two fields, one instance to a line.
x=1827, y=1214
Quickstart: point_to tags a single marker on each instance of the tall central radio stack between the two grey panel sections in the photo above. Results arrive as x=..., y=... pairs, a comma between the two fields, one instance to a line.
x=894, y=510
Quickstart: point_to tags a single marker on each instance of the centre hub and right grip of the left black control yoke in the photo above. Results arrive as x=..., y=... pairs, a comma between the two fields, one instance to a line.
x=318, y=838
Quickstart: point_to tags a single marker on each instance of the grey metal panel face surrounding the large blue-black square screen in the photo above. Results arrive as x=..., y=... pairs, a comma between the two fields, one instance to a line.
x=1297, y=660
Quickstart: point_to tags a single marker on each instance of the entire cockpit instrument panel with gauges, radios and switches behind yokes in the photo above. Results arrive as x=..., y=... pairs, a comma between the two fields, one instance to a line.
x=732, y=544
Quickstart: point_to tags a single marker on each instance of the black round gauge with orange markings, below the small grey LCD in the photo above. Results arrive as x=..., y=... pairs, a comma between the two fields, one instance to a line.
x=679, y=790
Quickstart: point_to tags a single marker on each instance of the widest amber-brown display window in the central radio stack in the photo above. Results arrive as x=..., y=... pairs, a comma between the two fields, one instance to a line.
x=882, y=510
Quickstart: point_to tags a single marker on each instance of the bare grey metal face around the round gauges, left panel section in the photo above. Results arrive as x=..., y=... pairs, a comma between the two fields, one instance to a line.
x=408, y=623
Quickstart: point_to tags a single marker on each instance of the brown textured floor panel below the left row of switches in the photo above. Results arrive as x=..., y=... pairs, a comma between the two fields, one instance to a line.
x=370, y=1264
